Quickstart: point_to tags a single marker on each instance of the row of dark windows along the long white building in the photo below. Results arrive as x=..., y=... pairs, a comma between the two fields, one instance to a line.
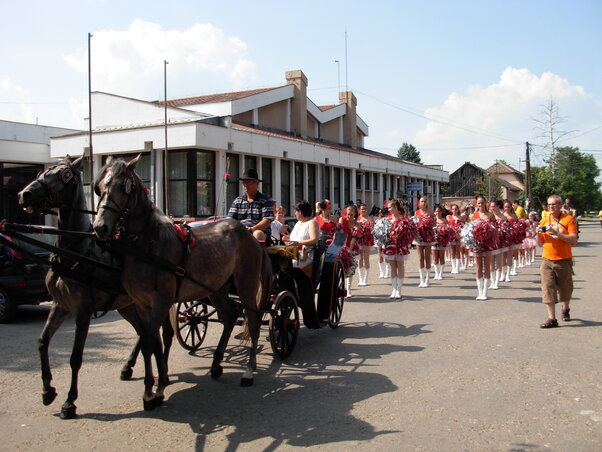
x=191, y=176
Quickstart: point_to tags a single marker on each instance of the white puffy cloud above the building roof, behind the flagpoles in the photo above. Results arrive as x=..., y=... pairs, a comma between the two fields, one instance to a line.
x=130, y=62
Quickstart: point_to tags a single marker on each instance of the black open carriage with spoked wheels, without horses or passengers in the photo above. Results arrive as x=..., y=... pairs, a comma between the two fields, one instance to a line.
x=319, y=296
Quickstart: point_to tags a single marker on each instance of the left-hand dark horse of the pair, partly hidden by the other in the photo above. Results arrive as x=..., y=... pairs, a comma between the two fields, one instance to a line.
x=60, y=187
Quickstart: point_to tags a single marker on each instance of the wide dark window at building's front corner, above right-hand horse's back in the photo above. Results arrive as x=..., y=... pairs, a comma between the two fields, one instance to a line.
x=191, y=176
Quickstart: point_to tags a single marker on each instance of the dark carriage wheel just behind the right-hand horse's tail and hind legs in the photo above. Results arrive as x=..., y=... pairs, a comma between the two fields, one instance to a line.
x=284, y=324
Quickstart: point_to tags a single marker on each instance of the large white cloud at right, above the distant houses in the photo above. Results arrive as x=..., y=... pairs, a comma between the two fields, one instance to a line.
x=499, y=114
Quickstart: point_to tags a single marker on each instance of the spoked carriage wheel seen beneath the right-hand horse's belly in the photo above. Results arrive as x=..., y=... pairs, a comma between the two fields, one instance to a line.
x=189, y=321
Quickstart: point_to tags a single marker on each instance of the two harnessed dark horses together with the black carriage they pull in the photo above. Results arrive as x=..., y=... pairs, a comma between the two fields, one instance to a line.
x=142, y=269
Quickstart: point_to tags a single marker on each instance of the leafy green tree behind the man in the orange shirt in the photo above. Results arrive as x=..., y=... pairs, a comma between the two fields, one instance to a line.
x=571, y=174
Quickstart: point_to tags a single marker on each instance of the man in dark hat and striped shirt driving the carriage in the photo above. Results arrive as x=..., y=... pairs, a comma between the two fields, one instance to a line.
x=253, y=209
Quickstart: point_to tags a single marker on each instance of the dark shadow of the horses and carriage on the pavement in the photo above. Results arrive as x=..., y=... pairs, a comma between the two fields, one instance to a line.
x=305, y=401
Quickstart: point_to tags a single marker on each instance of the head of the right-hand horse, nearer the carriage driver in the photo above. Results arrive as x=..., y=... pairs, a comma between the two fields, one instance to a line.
x=120, y=191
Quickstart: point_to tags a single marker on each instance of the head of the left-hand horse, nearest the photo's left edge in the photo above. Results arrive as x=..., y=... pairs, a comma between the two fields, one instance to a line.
x=54, y=187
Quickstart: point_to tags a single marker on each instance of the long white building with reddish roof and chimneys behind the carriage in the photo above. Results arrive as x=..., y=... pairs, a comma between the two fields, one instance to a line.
x=301, y=150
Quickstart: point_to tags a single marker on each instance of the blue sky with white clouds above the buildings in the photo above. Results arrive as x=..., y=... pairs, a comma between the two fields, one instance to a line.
x=460, y=80
